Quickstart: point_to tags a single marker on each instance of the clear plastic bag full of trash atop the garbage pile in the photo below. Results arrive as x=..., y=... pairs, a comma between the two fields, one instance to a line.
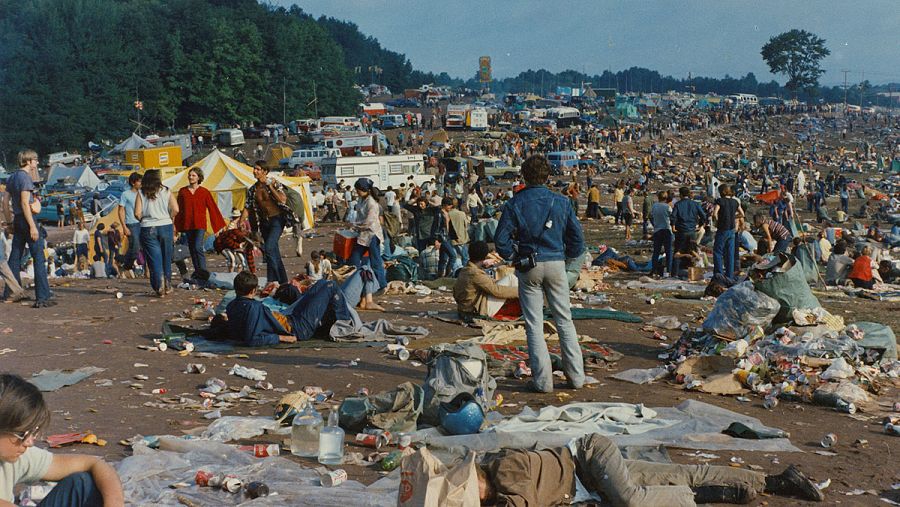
x=738, y=309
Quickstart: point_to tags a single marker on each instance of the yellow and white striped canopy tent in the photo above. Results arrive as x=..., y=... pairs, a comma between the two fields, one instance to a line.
x=228, y=180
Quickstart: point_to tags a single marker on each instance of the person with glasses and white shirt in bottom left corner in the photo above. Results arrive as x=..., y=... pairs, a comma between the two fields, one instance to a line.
x=82, y=480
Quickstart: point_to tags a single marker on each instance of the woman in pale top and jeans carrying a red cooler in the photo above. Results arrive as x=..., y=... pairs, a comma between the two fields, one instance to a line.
x=367, y=223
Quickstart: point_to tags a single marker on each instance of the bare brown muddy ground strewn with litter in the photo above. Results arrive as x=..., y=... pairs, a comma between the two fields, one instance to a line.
x=73, y=333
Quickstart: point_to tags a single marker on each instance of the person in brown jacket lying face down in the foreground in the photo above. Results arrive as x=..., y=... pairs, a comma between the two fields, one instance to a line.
x=592, y=466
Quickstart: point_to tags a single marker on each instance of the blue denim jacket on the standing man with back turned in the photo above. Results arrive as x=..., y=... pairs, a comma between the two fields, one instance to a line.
x=527, y=214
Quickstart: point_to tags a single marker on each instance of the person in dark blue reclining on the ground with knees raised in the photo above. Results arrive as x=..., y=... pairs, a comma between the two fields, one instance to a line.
x=253, y=324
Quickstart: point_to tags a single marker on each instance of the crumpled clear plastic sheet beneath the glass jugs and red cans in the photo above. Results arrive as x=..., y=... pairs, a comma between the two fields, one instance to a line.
x=147, y=475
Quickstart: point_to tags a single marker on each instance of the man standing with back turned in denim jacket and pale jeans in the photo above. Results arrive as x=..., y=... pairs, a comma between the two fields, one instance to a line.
x=538, y=232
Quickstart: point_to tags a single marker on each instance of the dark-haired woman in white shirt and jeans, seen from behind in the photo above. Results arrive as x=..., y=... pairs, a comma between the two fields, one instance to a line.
x=154, y=207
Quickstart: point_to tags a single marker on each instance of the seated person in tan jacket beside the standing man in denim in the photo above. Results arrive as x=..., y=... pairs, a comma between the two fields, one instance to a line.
x=473, y=285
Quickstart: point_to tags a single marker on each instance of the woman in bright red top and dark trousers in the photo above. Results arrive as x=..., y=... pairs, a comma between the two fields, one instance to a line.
x=194, y=202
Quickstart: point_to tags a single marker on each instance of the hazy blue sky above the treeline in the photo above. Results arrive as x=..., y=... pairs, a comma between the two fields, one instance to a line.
x=704, y=37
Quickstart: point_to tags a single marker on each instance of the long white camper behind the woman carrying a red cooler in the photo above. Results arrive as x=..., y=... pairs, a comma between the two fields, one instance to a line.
x=384, y=170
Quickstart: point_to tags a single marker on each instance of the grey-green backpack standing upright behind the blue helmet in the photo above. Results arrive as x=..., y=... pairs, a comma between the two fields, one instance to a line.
x=454, y=369
